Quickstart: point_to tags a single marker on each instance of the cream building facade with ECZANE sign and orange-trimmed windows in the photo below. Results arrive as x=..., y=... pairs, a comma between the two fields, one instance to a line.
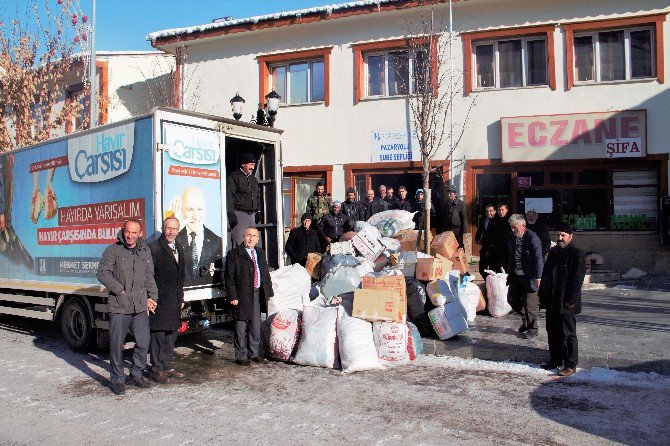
x=558, y=106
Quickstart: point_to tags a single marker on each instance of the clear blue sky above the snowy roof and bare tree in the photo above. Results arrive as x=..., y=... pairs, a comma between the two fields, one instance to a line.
x=123, y=25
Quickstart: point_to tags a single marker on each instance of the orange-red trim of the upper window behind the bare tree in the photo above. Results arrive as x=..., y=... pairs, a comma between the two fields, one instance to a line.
x=359, y=64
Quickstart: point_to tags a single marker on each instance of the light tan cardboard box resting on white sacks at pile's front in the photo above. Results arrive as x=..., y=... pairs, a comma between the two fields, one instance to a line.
x=378, y=305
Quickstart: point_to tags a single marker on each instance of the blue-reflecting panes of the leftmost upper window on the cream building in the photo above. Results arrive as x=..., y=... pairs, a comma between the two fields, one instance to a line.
x=299, y=82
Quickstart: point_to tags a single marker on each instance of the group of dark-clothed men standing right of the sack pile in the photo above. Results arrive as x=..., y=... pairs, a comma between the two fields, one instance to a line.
x=538, y=276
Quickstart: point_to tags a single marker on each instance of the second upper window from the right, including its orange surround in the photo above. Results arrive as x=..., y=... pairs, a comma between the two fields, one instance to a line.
x=509, y=58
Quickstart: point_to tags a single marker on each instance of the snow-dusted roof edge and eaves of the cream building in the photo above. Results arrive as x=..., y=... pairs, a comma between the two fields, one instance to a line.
x=307, y=15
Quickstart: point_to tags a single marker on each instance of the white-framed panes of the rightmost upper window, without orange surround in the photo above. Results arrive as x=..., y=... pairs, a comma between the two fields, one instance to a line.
x=614, y=55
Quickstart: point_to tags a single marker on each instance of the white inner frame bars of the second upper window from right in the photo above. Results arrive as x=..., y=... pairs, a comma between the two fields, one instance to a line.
x=496, y=60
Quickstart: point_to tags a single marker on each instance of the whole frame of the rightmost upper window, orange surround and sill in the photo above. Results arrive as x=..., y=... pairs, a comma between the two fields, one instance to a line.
x=655, y=22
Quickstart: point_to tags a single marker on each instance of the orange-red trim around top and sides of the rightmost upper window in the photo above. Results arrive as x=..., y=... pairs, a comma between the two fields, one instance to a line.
x=649, y=20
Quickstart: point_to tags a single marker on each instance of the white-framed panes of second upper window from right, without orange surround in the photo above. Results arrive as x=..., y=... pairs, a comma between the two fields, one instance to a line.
x=511, y=63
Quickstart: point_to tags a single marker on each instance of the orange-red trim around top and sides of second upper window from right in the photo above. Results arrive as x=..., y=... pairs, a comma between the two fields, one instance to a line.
x=475, y=36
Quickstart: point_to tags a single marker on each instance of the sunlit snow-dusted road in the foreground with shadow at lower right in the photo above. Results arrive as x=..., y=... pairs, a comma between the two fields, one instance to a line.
x=50, y=395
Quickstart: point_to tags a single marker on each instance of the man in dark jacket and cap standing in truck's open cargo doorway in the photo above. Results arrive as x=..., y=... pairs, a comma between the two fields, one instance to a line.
x=242, y=197
